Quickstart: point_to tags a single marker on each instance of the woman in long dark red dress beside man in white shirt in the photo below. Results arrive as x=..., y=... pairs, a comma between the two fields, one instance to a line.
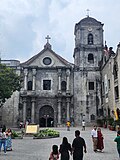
x=100, y=144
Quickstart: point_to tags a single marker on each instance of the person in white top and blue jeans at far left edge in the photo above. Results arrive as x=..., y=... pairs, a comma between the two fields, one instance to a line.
x=3, y=140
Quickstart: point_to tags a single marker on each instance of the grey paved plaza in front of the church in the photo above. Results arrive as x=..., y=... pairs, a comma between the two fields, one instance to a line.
x=34, y=149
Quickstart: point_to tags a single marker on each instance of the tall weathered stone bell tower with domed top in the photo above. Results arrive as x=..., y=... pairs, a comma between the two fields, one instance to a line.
x=87, y=54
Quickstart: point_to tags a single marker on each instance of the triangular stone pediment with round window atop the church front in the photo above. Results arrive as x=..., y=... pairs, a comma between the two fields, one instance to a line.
x=47, y=58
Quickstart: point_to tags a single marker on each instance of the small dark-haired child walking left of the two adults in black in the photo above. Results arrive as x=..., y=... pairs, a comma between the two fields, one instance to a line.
x=54, y=155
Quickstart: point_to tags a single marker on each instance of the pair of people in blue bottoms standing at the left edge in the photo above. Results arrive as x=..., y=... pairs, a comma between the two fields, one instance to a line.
x=5, y=139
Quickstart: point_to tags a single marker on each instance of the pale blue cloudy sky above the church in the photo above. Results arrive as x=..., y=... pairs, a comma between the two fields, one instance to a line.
x=24, y=24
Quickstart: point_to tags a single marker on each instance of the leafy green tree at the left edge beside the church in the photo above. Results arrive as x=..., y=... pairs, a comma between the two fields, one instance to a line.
x=9, y=82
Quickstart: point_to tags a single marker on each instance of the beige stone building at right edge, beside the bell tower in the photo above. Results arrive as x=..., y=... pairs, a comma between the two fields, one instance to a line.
x=110, y=75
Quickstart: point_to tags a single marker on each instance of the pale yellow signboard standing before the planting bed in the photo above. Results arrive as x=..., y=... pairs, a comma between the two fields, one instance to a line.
x=32, y=128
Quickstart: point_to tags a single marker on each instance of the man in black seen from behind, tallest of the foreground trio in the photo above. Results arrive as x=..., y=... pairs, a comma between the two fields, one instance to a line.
x=77, y=146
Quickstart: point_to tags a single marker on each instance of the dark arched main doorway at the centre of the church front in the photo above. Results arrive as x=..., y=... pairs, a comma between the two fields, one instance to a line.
x=46, y=116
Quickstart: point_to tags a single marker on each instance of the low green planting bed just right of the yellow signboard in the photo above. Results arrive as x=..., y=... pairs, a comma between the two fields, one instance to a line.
x=47, y=133
